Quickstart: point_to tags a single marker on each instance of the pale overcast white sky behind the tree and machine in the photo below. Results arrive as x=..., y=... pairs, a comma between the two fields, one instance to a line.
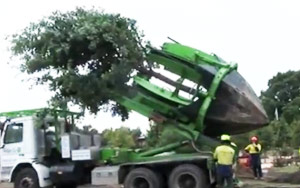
x=262, y=36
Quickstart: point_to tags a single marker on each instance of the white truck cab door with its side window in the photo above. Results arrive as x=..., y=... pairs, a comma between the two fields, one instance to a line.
x=11, y=148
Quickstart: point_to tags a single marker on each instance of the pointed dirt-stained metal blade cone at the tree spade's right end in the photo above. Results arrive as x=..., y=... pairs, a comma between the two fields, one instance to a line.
x=236, y=108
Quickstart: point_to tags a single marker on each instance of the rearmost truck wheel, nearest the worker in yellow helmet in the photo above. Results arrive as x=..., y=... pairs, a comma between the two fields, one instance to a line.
x=187, y=176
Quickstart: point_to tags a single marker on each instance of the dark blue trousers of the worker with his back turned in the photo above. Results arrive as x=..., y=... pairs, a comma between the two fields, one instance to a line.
x=224, y=176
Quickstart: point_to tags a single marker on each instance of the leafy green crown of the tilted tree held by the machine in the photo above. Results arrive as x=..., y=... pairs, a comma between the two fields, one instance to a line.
x=85, y=56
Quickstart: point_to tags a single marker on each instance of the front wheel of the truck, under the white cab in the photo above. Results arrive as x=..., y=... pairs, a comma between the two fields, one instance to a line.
x=26, y=178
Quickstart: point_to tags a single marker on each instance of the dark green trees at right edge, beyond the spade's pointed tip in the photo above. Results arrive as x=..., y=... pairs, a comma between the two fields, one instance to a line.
x=283, y=97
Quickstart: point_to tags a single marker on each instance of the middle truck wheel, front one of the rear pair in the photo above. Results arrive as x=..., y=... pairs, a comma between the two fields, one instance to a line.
x=142, y=178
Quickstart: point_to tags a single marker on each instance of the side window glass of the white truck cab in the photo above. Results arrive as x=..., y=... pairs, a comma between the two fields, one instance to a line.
x=14, y=133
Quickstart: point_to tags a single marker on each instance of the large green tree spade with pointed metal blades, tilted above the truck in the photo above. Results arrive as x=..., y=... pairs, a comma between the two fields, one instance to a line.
x=216, y=80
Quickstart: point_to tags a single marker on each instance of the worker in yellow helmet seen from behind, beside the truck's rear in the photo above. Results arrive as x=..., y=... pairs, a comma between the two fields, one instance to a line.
x=224, y=155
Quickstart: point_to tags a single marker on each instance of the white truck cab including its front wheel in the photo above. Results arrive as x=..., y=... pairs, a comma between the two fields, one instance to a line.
x=21, y=153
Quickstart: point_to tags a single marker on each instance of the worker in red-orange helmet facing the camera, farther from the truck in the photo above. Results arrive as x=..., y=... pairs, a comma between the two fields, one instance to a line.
x=254, y=149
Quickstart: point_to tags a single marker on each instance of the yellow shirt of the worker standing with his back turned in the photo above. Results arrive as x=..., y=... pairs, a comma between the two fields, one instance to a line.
x=224, y=155
